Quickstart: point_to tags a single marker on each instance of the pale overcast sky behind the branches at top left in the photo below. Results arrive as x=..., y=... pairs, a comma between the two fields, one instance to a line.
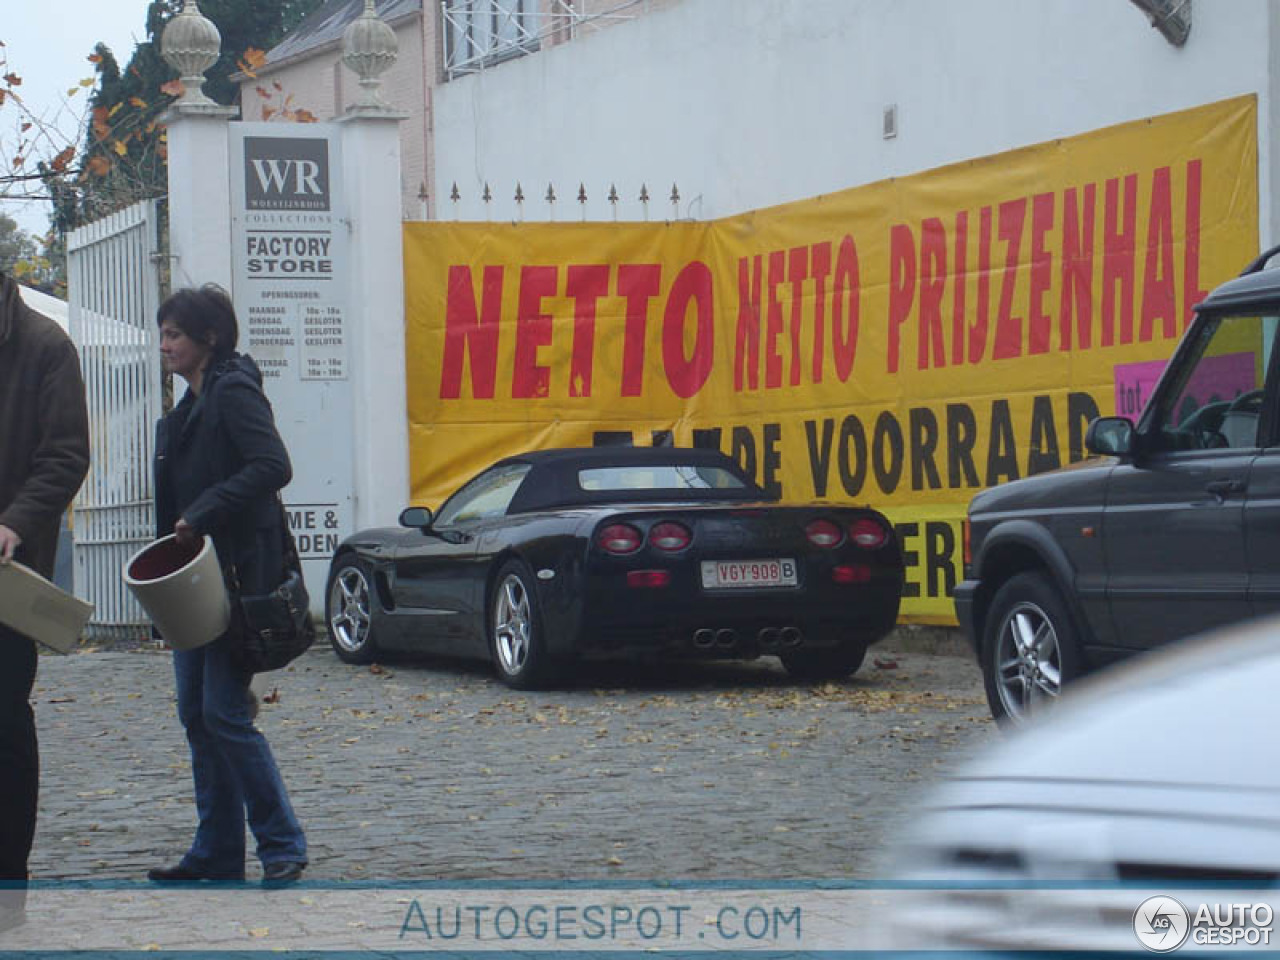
x=47, y=44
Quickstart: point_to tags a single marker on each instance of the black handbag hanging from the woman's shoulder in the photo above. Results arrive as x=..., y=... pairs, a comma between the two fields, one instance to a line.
x=276, y=629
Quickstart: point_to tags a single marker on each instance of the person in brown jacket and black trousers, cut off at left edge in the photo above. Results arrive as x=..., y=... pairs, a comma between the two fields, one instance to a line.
x=44, y=458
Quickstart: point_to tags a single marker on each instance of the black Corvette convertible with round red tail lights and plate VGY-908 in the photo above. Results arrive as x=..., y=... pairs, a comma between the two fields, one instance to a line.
x=612, y=551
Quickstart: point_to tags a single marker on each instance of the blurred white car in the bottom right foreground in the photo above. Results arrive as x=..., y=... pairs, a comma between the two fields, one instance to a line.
x=1155, y=779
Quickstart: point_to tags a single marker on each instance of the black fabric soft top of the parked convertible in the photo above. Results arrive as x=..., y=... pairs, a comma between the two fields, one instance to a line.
x=554, y=477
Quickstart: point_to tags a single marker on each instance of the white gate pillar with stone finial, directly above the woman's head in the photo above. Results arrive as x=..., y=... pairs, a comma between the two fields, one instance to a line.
x=200, y=214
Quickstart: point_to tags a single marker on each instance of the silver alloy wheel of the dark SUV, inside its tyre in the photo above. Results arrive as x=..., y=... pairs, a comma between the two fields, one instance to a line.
x=1028, y=661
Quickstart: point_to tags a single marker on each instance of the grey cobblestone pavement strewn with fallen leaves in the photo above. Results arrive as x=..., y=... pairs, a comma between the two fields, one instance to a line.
x=432, y=771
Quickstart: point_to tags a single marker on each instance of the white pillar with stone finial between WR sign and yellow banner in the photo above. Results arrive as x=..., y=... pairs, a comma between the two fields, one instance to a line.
x=372, y=177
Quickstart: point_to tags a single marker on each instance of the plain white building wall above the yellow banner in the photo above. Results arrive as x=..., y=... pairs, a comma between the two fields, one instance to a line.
x=752, y=103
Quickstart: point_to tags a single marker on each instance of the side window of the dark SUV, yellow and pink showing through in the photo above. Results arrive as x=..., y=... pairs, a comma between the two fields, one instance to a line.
x=1218, y=399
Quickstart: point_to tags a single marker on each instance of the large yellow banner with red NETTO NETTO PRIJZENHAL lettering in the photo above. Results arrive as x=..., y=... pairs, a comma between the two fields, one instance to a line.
x=903, y=345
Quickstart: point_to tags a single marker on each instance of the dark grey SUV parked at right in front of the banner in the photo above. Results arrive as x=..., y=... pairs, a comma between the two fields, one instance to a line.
x=1172, y=531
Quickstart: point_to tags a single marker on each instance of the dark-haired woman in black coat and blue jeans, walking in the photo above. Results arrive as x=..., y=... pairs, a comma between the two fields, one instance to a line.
x=220, y=467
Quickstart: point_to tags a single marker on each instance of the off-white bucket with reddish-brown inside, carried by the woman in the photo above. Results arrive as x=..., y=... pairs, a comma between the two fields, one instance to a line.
x=182, y=591
